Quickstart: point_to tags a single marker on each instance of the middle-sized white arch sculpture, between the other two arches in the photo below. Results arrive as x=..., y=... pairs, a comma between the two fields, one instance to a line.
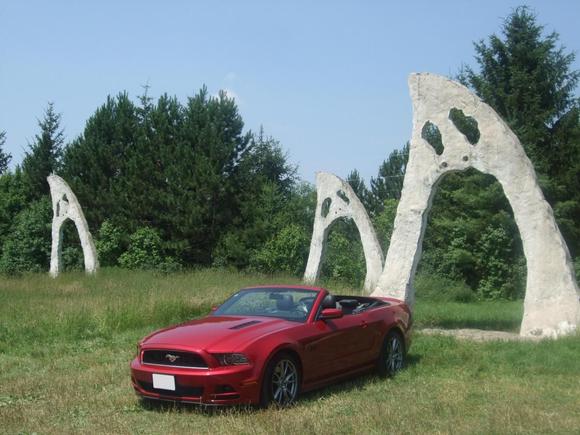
x=335, y=200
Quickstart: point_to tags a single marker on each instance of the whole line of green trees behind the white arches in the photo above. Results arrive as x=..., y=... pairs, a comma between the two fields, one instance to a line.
x=168, y=185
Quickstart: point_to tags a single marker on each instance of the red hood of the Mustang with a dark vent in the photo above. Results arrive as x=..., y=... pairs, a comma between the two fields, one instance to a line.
x=216, y=333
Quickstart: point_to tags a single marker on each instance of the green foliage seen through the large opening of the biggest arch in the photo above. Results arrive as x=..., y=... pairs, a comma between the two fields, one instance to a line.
x=471, y=236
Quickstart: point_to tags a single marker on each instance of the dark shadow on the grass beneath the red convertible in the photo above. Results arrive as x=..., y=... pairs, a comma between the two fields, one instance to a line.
x=345, y=386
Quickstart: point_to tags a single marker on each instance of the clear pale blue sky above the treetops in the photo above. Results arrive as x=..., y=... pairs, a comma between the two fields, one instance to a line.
x=328, y=79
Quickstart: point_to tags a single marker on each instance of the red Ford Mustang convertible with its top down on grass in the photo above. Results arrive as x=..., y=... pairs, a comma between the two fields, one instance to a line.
x=268, y=344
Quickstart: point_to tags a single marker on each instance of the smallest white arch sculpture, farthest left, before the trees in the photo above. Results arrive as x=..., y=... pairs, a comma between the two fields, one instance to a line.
x=66, y=206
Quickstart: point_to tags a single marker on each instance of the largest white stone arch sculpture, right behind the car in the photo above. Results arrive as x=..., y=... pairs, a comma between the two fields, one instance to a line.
x=551, y=305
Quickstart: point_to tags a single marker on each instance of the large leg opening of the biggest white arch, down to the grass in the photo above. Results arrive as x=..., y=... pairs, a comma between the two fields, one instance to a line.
x=463, y=260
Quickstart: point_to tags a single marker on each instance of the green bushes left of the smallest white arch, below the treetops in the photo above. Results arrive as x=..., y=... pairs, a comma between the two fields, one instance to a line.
x=27, y=247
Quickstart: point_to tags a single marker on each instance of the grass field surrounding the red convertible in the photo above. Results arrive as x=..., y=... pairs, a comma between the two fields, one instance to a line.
x=65, y=346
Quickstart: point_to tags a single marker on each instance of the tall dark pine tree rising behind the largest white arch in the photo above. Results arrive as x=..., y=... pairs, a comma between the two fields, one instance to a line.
x=527, y=78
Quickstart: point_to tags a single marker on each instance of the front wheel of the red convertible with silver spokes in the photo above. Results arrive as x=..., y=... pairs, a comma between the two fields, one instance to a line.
x=281, y=383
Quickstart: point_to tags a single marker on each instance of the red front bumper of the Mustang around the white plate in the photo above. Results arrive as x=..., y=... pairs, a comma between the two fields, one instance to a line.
x=212, y=386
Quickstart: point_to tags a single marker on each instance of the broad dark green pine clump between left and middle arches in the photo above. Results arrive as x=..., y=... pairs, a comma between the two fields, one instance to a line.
x=185, y=170
